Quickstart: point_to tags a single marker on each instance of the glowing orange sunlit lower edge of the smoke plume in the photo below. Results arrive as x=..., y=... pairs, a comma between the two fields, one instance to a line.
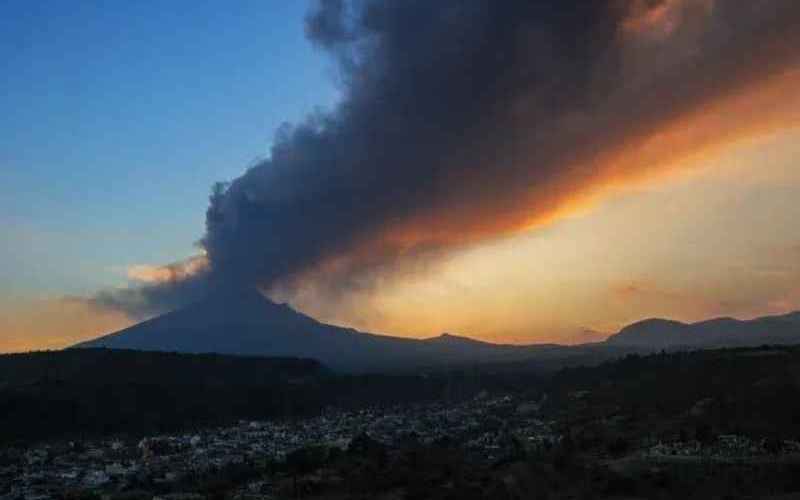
x=678, y=146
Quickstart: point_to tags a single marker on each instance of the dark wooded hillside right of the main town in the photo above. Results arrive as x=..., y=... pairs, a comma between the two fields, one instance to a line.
x=751, y=391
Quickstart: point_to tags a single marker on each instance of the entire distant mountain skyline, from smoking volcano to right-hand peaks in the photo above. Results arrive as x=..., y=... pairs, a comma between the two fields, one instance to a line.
x=245, y=322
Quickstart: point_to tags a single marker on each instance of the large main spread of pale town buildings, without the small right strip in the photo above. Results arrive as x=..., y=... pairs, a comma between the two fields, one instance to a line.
x=484, y=425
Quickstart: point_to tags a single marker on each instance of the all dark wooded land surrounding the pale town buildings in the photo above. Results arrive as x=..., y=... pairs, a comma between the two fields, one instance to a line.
x=727, y=420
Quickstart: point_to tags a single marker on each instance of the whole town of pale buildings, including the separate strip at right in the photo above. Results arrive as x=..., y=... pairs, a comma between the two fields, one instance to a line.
x=262, y=458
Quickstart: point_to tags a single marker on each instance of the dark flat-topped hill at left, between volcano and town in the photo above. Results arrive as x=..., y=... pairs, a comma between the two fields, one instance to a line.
x=84, y=392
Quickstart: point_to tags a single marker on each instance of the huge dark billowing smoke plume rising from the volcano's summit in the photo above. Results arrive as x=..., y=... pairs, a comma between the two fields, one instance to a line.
x=463, y=121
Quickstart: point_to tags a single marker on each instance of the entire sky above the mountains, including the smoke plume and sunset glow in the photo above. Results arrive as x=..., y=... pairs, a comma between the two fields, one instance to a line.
x=656, y=197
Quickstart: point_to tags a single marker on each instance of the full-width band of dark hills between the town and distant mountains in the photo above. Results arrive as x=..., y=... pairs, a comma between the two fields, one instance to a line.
x=84, y=392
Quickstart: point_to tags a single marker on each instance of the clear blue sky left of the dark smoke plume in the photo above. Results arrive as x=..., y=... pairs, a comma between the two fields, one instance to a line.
x=118, y=117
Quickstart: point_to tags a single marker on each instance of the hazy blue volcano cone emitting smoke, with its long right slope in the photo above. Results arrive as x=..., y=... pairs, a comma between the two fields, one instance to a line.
x=244, y=322
